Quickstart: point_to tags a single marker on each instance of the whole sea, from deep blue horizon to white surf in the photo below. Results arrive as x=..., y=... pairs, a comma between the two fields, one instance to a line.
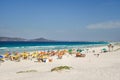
x=37, y=46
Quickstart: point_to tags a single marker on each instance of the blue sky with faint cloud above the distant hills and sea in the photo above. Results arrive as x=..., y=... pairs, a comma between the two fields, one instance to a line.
x=72, y=20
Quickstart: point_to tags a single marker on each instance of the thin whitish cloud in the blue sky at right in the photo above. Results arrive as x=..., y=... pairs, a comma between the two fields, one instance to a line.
x=105, y=25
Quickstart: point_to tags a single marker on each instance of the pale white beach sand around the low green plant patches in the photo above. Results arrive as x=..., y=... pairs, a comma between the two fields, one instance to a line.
x=91, y=67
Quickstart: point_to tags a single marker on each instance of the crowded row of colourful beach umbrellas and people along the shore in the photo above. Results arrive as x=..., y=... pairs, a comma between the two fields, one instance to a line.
x=46, y=56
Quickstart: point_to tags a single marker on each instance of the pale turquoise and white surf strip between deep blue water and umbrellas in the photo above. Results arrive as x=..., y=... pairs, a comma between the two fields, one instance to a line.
x=46, y=47
